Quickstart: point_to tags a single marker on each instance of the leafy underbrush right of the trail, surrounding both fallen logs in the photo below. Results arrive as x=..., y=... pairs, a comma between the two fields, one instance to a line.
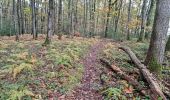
x=121, y=89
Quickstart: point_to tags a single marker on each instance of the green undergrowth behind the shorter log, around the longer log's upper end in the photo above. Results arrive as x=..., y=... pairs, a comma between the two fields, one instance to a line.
x=117, y=56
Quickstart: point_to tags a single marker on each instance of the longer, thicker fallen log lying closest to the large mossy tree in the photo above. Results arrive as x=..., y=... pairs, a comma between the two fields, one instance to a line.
x=153, y=84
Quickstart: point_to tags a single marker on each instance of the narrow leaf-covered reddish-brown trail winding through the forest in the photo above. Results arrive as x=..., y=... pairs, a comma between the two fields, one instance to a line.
x=91, y=76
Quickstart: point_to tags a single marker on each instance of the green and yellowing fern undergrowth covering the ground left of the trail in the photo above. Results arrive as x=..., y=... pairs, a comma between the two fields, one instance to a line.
x=30, y=71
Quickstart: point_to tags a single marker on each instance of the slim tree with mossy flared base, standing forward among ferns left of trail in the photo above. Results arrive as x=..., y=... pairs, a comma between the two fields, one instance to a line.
x=50, y=23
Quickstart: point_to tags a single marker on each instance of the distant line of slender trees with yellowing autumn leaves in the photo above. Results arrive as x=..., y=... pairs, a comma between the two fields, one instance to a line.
x=118, y=19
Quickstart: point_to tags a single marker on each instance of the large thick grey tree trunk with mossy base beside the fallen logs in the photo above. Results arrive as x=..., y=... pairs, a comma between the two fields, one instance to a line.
x=155, y=55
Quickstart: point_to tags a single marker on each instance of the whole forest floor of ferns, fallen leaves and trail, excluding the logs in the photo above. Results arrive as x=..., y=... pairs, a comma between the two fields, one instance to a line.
x=69, y=69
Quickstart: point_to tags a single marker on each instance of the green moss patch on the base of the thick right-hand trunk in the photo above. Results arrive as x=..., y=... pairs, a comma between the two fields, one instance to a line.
x=154, y=66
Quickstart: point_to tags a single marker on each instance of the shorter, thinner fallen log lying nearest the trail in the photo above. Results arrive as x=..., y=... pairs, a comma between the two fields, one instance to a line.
x=124, y=76
